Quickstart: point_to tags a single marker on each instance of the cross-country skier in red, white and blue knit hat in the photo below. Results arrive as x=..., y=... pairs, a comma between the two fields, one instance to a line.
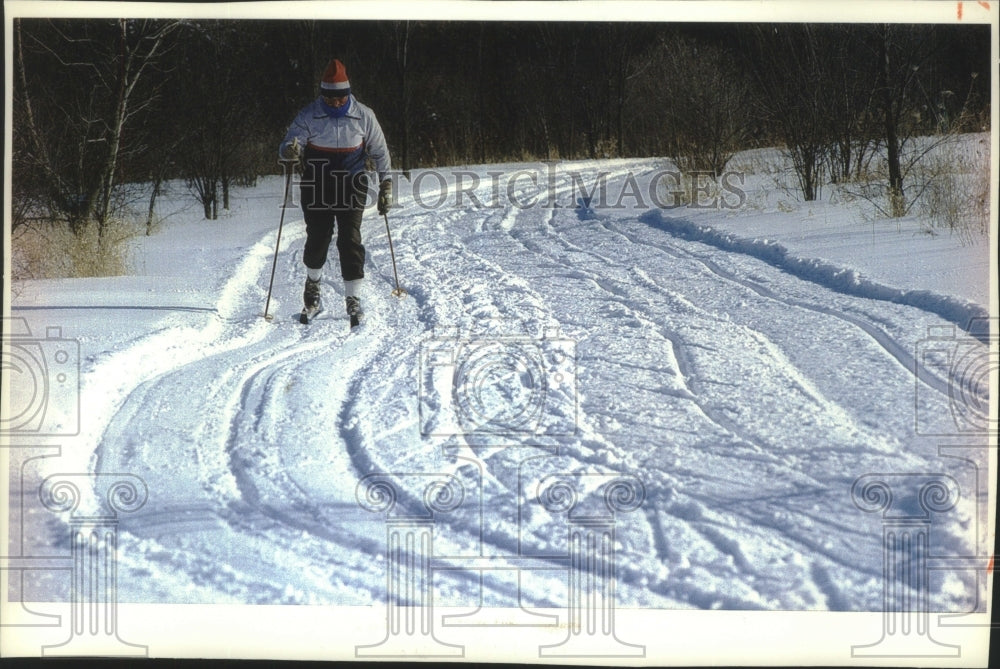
x=332, y=137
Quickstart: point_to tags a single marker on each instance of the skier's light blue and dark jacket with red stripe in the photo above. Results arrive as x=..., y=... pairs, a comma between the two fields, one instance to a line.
x=335, y=149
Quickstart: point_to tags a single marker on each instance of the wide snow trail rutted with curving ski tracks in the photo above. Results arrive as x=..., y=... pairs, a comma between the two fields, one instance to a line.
x=738, y=393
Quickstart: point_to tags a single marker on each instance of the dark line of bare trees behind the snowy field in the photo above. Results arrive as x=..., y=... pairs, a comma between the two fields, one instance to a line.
x=100, y=103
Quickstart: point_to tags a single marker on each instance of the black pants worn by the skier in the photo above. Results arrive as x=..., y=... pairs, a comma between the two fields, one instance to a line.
x=321, y=225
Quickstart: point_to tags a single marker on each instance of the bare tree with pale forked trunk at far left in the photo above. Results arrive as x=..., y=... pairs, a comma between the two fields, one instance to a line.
x=88, y=74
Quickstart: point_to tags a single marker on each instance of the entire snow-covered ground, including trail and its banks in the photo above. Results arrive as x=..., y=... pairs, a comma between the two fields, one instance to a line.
x=712, y=383
